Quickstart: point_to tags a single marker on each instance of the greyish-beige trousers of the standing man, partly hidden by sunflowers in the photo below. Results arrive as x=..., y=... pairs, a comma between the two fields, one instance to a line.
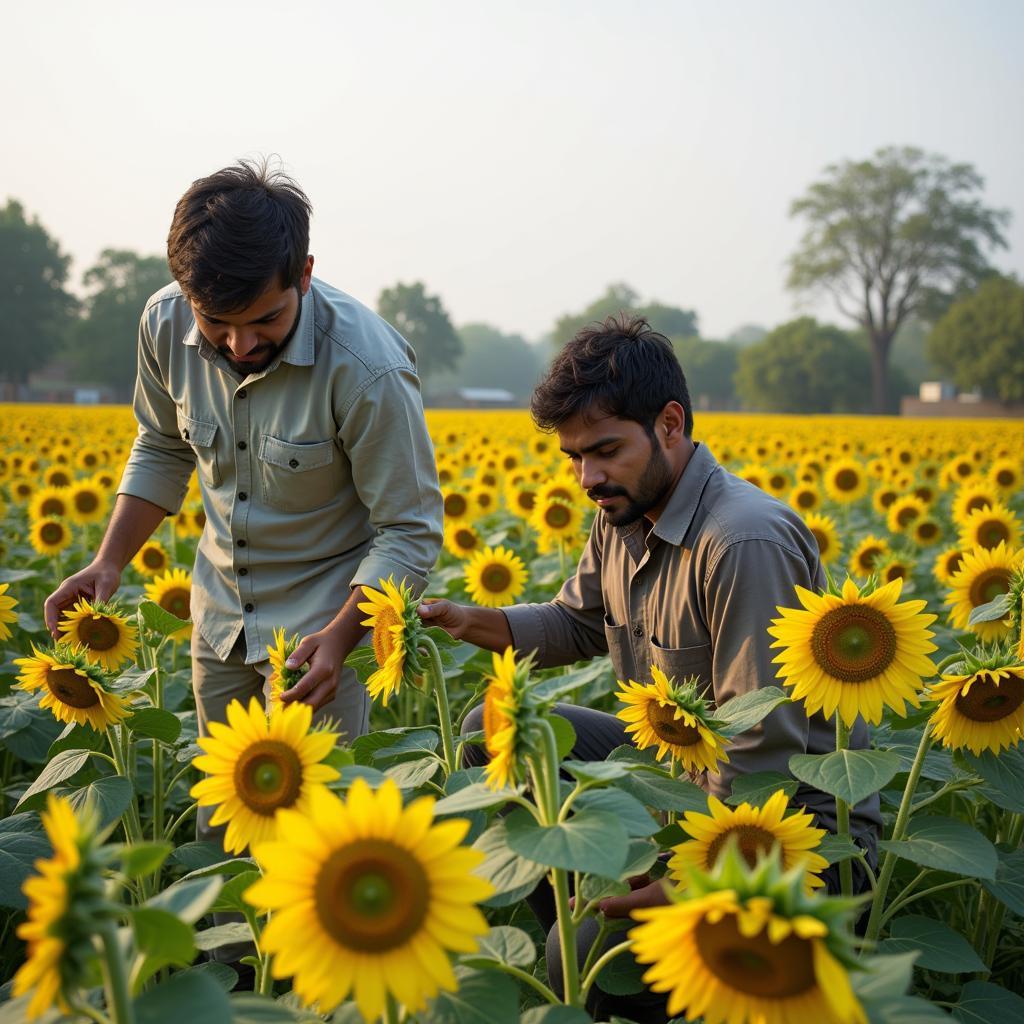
x=218, y=684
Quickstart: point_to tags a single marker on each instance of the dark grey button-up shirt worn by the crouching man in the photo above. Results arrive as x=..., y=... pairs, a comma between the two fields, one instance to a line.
x=696, y=599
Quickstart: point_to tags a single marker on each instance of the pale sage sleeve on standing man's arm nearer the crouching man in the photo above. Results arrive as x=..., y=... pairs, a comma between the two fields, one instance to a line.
x=386, y=437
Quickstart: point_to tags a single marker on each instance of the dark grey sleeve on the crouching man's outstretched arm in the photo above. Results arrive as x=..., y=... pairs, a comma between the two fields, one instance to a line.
x=571, y=627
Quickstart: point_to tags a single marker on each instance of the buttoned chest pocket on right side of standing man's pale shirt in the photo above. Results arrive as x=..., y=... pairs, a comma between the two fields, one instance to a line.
x=300, y=478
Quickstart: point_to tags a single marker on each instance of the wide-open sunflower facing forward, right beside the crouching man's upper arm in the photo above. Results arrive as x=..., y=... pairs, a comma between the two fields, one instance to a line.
x=855, y=653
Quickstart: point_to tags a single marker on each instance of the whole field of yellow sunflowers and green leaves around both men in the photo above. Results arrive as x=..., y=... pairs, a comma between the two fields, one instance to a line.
x=386, y=880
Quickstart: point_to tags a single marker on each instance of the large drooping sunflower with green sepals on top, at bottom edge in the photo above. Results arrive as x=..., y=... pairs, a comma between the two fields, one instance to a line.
x=741, y=946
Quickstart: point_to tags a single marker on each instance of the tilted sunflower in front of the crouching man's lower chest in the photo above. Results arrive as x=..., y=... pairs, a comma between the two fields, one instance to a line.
x=676, y=719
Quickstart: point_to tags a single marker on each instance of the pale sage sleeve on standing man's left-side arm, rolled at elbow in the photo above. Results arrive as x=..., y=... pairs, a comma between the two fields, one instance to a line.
x=160, y=462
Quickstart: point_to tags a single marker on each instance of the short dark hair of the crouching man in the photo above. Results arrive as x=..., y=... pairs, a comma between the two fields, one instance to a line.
x=619, y=367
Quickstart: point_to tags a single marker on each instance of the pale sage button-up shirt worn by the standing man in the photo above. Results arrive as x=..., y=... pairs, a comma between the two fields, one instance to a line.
x=318, y=474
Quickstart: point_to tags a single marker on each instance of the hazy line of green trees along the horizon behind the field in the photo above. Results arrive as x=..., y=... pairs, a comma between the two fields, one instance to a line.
x=900, y=243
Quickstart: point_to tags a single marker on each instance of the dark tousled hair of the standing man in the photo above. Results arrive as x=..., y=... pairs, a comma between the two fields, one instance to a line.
x=236, y=233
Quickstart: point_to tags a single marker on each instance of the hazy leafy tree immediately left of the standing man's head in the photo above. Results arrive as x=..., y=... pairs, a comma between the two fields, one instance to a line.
x=103, y=345
